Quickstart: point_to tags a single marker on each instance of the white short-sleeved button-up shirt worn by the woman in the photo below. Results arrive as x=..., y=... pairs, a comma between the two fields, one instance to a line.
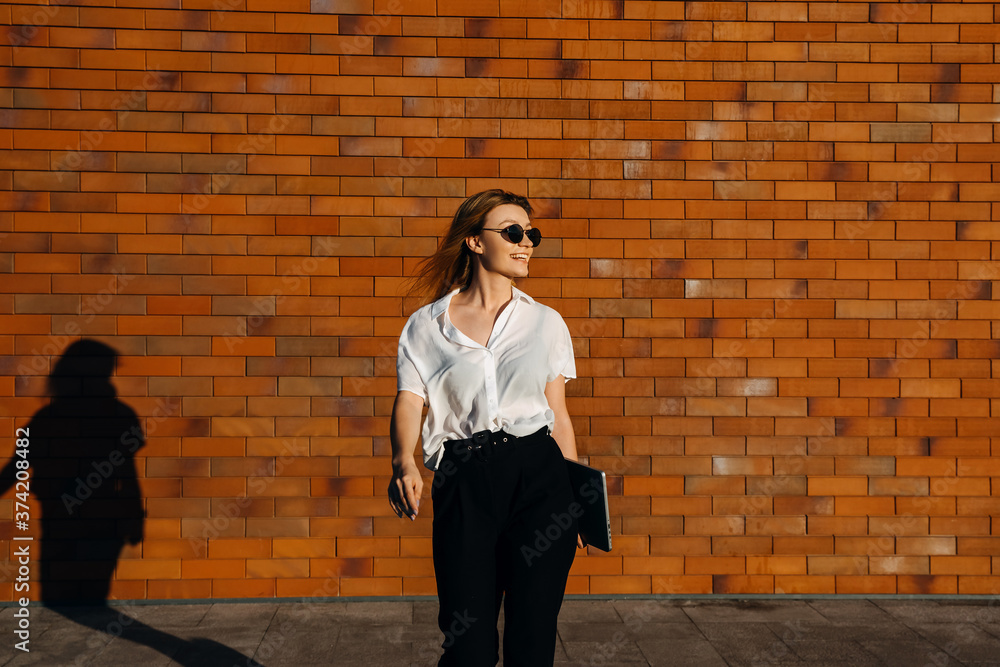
x=468, y=387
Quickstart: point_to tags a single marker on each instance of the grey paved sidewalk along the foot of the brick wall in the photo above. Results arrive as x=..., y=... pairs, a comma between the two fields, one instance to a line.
x=707, y=632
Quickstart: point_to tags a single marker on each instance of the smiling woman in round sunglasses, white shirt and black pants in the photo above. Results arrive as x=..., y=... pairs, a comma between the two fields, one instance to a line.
x=491, y=365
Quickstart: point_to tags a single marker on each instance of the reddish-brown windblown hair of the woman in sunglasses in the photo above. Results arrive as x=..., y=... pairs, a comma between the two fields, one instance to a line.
x=451, y=265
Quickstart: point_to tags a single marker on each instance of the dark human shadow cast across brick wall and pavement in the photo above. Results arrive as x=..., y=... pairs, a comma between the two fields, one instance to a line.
x=81, y=449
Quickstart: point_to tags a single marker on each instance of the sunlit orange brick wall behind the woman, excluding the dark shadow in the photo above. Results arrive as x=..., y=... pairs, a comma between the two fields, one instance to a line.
x=771, y=228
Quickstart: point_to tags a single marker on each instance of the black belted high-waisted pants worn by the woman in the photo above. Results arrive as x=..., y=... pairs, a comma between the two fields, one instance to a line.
x=503, y=532
